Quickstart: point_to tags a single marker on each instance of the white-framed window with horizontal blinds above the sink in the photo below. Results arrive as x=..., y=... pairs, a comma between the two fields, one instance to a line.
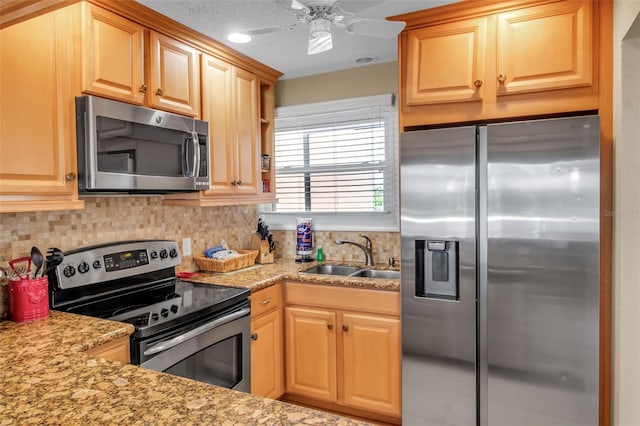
x=336, y=162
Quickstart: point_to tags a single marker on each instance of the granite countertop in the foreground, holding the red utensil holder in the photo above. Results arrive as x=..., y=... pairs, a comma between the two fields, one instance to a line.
x=47, y=379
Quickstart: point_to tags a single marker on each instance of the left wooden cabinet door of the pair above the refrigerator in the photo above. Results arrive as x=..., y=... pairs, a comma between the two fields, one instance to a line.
x=445, y=63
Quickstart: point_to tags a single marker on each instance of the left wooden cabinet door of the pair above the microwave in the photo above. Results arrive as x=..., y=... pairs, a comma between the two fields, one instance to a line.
x=112, y=56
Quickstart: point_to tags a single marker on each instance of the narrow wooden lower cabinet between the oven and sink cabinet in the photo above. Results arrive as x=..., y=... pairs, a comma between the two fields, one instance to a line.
x=267, y=377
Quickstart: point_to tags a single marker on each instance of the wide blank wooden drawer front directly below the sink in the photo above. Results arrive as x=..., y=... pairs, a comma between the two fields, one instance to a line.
x=343, y=298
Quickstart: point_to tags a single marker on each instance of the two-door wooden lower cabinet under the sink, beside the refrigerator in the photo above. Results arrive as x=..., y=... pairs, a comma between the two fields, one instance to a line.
x=341, y=354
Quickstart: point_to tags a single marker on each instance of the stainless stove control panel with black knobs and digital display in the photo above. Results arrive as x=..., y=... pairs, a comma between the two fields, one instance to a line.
x=106, y=262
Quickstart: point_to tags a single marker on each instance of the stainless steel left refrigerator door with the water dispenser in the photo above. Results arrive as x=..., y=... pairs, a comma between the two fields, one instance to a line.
x=438, y=277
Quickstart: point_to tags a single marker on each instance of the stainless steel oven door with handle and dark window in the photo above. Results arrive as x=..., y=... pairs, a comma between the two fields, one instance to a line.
x=215, y=352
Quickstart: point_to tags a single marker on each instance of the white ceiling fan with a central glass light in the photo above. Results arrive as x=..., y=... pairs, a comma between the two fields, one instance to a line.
x=321, y=17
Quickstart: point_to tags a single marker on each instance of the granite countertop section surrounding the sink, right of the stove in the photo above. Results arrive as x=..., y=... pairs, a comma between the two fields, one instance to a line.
x=260, y=276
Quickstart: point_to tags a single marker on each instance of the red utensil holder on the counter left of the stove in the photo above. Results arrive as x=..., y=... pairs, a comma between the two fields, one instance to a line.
x=29, y=299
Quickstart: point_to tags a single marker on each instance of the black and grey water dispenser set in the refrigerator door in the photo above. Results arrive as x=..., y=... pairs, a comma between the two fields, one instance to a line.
x=437, y=269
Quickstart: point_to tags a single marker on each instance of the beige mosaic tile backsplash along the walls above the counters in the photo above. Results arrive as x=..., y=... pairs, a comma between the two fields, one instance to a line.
x=108, y=219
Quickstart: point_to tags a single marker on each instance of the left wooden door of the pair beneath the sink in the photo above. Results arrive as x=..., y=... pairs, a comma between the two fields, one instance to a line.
x=311, y=353
